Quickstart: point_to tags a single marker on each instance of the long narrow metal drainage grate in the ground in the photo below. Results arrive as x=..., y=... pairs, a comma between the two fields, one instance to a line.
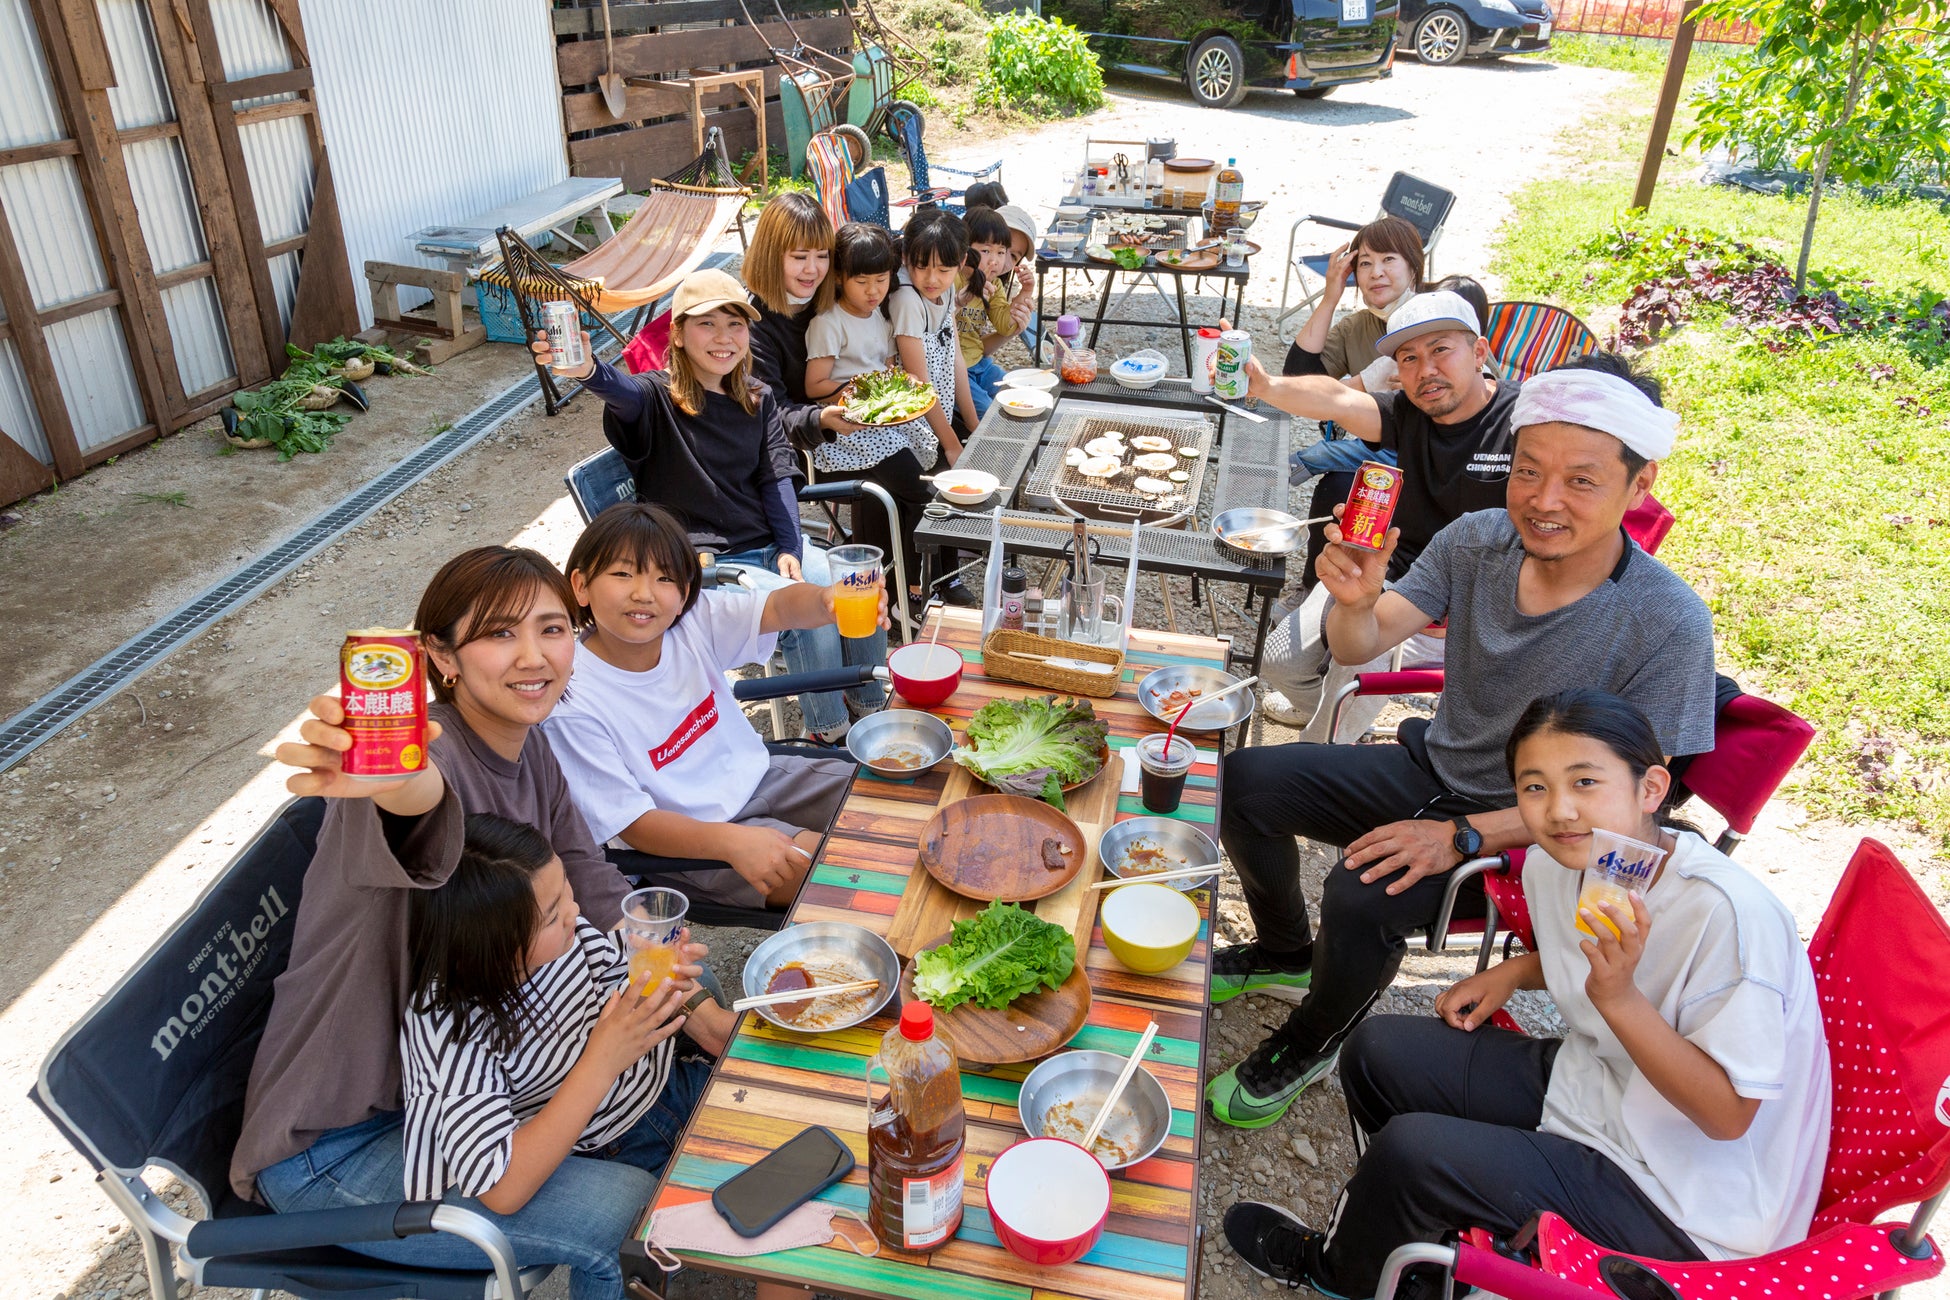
x=40, y=722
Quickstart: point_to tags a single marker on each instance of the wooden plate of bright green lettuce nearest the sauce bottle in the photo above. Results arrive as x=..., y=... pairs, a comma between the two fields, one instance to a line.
x=1005, y=985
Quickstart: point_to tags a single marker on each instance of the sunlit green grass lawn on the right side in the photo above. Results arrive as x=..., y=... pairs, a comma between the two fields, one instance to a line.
x=1813, y=484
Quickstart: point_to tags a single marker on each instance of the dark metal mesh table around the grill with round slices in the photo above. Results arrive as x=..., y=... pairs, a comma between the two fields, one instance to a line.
x=1251, y=463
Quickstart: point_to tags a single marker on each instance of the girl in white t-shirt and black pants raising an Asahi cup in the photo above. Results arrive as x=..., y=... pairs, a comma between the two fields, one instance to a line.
x=1686, y=1110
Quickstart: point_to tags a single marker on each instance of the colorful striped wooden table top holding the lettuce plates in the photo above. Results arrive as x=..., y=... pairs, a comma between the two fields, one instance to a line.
x=773, y=1083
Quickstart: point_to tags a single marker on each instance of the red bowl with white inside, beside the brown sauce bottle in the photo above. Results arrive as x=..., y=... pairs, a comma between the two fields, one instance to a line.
x=1054, y=1186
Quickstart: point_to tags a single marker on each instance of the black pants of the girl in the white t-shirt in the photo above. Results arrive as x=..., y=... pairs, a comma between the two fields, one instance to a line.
x=1448, y=1126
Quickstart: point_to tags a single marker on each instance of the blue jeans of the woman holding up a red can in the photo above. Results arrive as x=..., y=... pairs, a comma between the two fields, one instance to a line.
x=576, y=1219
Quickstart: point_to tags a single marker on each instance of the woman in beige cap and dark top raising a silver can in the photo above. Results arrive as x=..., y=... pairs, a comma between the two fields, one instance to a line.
x=703, y=438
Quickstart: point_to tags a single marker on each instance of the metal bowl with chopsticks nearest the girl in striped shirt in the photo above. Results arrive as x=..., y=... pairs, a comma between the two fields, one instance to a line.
x=822, y=952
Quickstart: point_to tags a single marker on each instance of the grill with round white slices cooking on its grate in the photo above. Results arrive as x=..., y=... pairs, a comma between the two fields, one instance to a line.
x=1056, y=484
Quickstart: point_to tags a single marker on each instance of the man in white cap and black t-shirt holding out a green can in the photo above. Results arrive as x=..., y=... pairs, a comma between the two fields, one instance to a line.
x=1448, y=426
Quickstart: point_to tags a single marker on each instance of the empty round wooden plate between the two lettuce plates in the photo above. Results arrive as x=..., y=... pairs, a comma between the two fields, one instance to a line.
x=992, y=849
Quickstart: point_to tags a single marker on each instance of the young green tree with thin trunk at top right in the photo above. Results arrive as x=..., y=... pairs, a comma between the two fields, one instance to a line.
x=1855, y=91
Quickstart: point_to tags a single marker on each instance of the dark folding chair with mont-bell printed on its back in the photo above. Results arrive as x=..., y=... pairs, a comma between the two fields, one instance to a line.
x=155, y=1077
